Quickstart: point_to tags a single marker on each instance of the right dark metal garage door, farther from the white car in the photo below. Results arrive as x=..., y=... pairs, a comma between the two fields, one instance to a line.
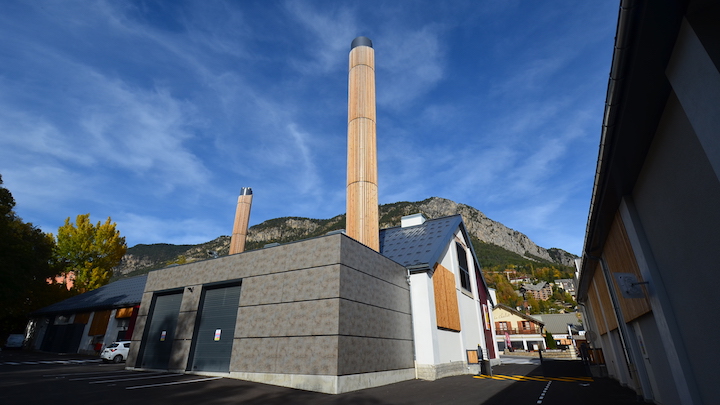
x=215, y=329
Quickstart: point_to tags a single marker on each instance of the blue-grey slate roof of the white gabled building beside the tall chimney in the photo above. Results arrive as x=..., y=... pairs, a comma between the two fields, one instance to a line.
x=419, y=246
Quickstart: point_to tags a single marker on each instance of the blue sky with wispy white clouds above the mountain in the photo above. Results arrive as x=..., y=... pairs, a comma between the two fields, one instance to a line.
x=156, y=113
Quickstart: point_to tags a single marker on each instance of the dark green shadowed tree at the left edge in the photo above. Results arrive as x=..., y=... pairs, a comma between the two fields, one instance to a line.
x=26, y=268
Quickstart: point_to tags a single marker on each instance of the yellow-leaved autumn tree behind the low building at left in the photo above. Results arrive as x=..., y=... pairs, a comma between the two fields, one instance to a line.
x=87, y=253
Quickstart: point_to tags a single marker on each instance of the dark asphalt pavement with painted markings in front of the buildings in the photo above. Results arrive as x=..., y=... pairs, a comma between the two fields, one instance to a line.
x=43, y=378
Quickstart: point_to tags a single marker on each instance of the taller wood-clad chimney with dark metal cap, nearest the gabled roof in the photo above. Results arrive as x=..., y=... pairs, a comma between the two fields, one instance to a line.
x=362, y=192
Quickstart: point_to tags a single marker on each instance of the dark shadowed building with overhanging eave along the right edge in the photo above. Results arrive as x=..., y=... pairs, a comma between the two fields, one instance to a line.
x=652, y=229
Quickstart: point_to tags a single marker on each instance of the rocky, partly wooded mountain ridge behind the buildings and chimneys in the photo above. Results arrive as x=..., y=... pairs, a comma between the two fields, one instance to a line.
x=494, y=242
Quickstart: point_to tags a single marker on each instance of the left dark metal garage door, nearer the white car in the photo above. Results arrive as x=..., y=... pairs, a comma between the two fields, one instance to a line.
x=161, y=332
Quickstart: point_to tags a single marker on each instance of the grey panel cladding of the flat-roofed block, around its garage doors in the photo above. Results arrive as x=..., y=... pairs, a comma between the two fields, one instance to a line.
x=309, y=313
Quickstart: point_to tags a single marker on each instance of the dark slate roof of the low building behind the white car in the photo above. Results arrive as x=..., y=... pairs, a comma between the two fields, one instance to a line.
x=120, y=294
